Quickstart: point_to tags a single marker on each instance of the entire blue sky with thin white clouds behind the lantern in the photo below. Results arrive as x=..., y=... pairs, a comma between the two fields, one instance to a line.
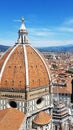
x=49, y=22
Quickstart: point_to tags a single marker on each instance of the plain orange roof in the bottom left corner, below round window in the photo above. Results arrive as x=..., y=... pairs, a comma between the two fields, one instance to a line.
x=11, y=119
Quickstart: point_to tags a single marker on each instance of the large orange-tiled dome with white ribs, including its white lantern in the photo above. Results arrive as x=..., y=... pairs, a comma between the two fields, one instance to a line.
x=22, y=67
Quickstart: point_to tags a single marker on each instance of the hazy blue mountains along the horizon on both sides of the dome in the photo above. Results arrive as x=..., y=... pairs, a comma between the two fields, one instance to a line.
x=65, y=48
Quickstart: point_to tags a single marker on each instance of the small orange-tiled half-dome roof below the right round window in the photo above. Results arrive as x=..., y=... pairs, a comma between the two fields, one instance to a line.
x=42, y=118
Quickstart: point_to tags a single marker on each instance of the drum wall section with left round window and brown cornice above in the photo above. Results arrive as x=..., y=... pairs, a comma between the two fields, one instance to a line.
x=12, y=99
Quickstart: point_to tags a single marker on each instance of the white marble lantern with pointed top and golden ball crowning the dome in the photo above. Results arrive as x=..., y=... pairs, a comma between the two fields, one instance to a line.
x=22, y=33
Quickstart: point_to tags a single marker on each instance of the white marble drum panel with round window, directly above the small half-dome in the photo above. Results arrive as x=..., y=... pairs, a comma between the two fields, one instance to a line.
x=39, y=104
